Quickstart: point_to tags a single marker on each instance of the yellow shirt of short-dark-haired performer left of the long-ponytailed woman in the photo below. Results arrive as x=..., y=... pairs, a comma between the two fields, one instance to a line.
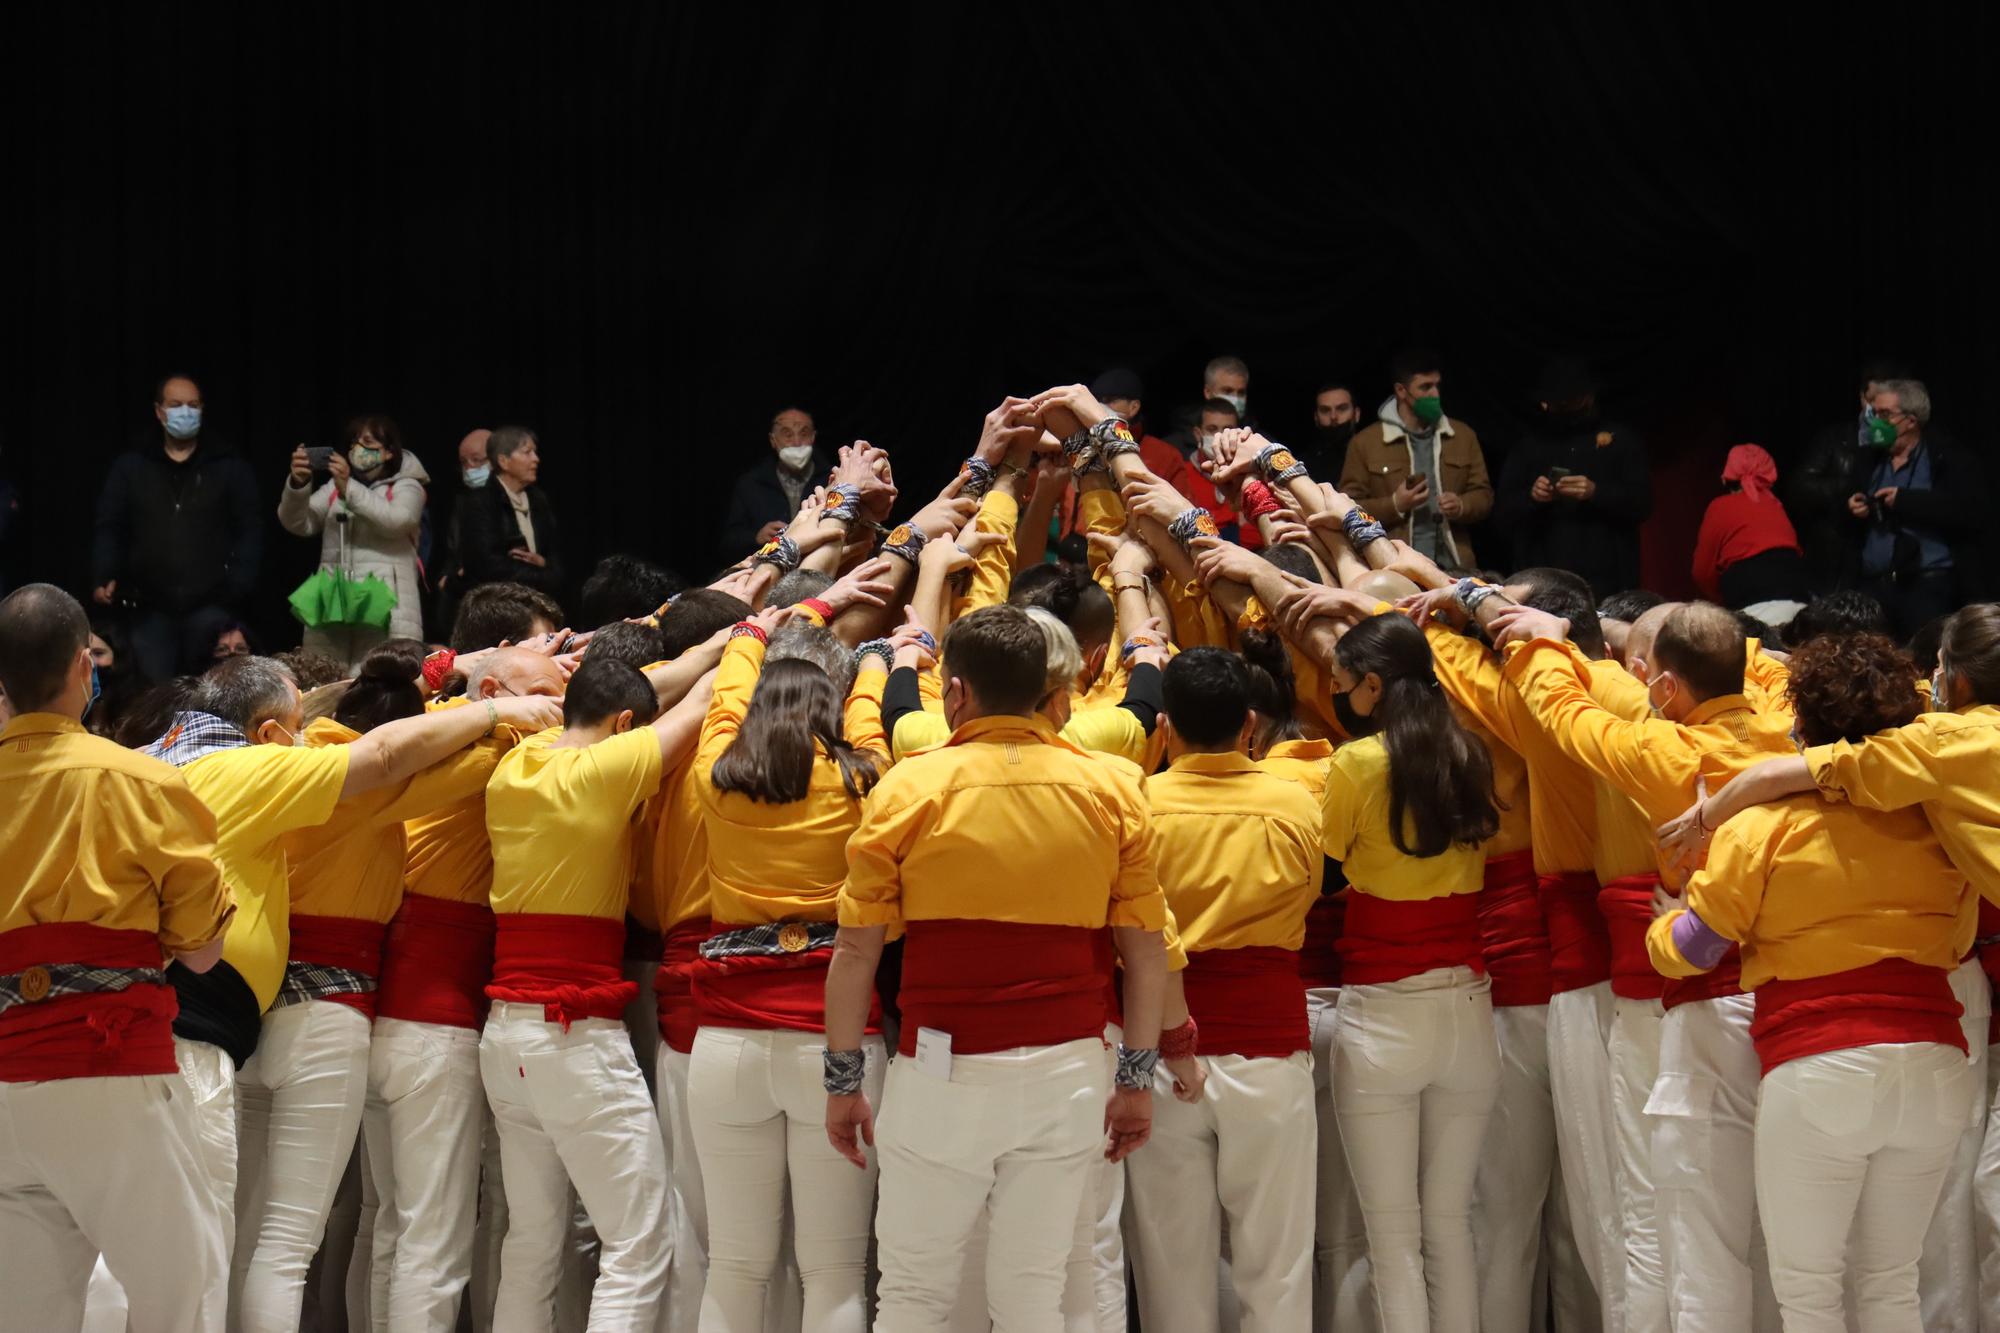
x=1239, y=852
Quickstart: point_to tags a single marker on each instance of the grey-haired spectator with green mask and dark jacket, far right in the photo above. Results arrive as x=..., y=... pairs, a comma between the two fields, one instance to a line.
x=1919, y=515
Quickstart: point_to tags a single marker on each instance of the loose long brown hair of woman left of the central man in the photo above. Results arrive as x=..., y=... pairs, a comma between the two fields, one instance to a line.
x=795, y=710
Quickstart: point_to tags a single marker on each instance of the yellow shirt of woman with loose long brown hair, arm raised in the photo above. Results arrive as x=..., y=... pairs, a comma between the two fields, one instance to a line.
x=767, y=862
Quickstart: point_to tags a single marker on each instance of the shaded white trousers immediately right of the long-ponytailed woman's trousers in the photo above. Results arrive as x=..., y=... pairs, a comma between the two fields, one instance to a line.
x=1517, y=1168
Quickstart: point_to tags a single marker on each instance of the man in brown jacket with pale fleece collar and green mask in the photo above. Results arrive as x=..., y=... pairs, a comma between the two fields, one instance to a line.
x=1419, y=471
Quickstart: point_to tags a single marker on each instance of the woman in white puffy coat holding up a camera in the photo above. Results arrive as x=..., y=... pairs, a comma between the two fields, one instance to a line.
x=367, y=515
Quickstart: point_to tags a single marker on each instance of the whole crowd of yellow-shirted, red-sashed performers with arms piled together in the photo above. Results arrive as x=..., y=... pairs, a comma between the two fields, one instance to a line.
x=911, y=934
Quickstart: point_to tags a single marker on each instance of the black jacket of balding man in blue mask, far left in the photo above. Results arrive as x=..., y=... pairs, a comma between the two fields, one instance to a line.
x=181, y=535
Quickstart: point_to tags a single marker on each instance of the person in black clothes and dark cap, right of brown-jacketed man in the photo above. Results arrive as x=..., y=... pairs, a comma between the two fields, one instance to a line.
x=1577, y=489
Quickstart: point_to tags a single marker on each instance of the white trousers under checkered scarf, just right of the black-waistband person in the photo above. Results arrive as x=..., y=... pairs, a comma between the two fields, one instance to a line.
x=301, y=1110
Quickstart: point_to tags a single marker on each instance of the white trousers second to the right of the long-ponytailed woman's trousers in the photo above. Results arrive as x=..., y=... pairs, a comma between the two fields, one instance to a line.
x=1581, y=1094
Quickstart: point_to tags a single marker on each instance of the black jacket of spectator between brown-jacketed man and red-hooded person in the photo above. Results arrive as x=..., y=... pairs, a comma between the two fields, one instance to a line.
x=1597, y=537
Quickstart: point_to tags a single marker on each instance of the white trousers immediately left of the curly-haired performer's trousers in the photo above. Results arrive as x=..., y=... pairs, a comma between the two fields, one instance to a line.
x=1703, y=1148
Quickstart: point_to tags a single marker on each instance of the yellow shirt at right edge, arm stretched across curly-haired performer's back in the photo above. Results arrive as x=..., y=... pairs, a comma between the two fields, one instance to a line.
x=1945, y=762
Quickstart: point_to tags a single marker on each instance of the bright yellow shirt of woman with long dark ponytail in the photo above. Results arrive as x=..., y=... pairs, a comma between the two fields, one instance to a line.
x=1355, y=832
